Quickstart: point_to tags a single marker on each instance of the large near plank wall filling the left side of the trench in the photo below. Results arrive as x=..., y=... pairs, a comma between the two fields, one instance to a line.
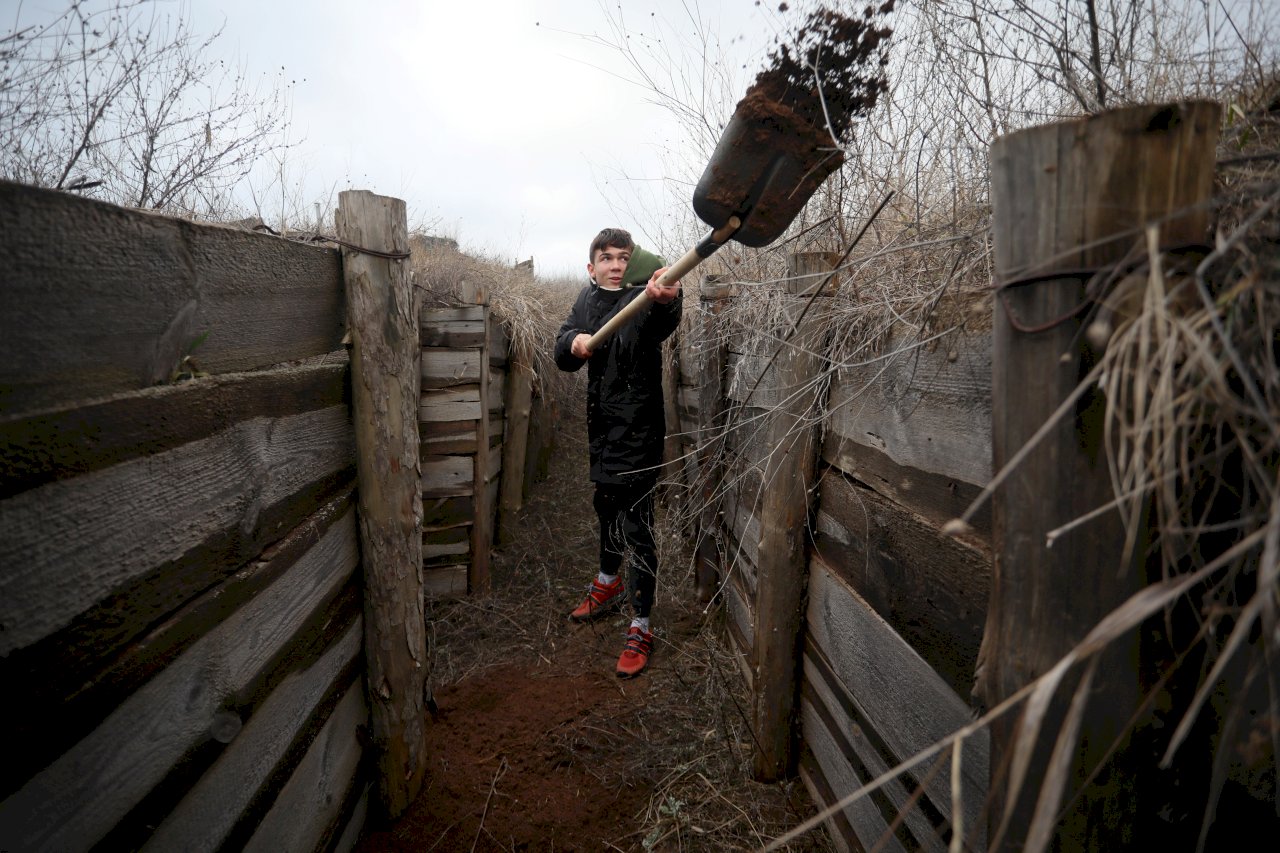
x=180, y=578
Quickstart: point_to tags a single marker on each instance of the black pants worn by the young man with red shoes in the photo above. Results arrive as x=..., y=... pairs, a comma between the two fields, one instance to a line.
x=627, y=527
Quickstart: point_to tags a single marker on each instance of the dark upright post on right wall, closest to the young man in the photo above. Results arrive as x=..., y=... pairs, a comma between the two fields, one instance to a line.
x=712, y=354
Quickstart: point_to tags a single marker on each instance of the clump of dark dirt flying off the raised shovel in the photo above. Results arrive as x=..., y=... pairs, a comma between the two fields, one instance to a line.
x=833, y=69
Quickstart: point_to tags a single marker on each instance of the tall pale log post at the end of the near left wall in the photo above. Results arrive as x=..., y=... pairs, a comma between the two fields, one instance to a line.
x=385, y=395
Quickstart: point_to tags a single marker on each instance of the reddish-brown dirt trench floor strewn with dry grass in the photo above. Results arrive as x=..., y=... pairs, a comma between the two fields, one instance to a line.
x=538, y=746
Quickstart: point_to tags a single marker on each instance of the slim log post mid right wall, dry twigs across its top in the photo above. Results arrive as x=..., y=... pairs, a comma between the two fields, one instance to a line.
x=784, y=518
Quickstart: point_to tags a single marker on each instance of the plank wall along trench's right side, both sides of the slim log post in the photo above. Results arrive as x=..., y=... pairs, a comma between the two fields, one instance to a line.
x=895, y=610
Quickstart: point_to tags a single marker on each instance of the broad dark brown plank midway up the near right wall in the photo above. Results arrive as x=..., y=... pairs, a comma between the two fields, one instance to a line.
x=934, y=590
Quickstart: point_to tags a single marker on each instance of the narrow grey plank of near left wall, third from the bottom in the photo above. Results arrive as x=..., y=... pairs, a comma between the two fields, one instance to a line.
x=212, y=810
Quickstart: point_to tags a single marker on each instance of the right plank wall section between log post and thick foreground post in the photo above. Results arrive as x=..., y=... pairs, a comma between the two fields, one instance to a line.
x=897, y=610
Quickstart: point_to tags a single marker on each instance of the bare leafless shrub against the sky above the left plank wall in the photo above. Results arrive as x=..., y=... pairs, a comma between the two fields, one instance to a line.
x=126, y=103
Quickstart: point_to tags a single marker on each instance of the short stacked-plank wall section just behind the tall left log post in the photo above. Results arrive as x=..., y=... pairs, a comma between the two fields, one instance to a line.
x=461, y=421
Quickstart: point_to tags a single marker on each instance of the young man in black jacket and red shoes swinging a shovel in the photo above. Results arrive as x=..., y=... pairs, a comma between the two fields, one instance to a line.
x=625, y=425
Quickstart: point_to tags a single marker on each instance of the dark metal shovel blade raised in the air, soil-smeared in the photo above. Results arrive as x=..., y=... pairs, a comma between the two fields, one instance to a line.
x=765, y=170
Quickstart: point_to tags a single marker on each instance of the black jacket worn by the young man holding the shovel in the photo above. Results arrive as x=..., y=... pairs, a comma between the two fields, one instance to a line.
x=625, y=417
